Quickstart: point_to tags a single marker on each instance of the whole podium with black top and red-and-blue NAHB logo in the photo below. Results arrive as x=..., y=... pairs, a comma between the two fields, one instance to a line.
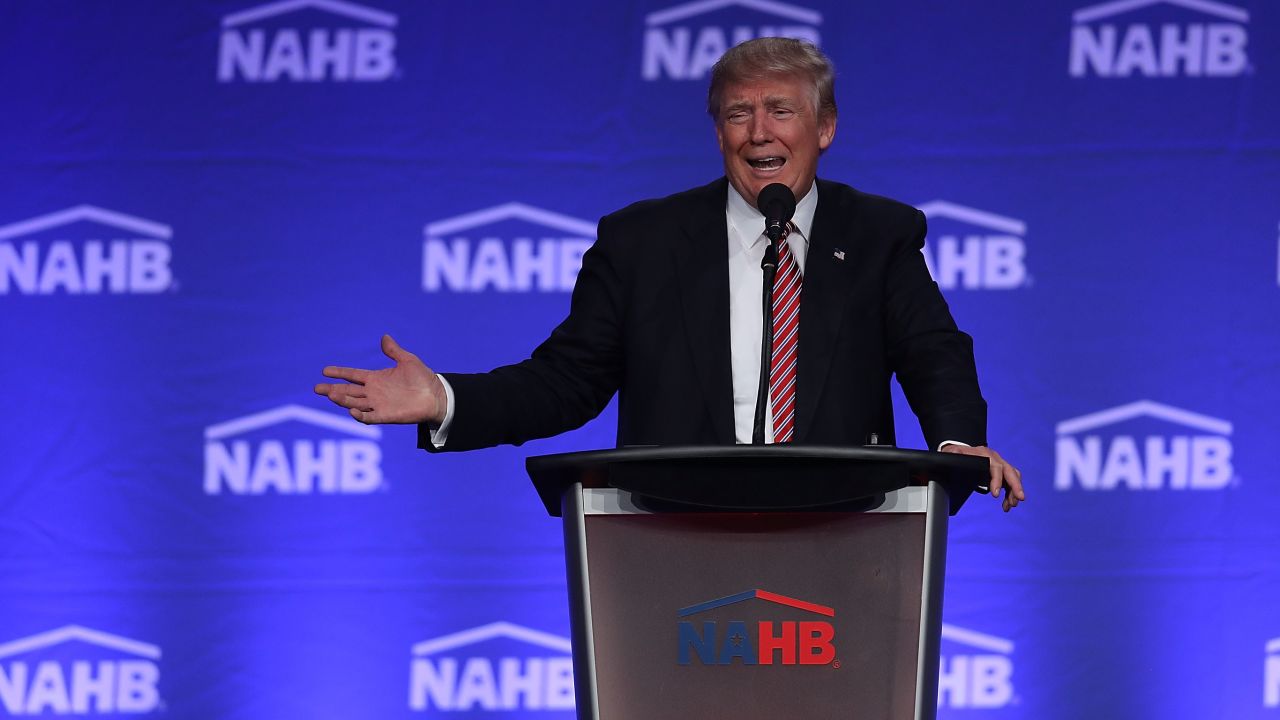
x=756, y=582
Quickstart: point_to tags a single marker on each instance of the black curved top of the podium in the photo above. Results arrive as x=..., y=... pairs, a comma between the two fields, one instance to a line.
x=757, y=479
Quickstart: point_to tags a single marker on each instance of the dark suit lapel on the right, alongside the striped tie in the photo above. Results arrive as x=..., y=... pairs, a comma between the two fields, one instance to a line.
x=822, y=306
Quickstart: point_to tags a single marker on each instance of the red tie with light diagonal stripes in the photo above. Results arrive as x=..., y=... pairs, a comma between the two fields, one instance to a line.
x=787, y=341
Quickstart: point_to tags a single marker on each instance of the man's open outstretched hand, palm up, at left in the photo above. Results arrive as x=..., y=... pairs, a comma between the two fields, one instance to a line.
x=409, y=393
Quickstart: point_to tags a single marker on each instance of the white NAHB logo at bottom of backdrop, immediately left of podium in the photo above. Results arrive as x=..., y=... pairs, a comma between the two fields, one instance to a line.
x=500, y=667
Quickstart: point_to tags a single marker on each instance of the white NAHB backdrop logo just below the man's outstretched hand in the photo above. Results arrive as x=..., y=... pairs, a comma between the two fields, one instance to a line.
x=292, y=450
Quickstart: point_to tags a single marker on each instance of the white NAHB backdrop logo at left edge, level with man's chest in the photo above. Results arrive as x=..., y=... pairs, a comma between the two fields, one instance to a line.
x=85, y=250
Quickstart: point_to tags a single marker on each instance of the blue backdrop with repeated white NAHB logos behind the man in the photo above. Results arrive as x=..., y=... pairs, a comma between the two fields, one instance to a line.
x=202, y=204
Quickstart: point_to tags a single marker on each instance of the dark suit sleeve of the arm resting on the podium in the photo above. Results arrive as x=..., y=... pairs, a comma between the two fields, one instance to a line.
x=934, y=361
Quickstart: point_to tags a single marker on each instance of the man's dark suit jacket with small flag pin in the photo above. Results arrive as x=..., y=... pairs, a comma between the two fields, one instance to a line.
x=650, y=320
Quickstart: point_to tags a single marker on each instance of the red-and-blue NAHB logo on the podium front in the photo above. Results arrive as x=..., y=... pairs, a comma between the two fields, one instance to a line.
x=764, y=642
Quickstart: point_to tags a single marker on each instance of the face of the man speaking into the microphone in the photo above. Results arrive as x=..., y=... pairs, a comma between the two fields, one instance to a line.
x=769, y=133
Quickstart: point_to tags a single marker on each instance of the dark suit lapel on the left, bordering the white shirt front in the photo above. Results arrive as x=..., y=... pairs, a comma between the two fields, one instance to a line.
x=702, y=271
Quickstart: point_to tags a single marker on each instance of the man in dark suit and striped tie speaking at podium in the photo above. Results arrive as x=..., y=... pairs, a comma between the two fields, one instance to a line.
x=670, y=308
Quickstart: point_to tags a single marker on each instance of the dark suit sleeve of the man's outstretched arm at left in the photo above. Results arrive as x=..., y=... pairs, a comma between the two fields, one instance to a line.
x=566, y=381
